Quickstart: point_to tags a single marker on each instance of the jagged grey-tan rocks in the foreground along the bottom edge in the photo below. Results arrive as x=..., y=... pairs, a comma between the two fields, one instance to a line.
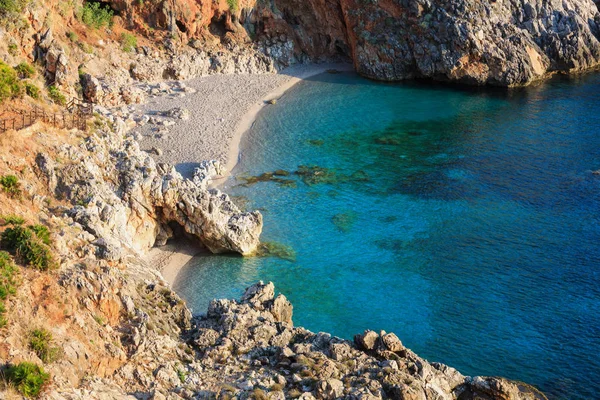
x=248, y=347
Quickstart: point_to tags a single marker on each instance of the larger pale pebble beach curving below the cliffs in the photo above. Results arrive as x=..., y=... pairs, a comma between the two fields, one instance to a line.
x=219, y=108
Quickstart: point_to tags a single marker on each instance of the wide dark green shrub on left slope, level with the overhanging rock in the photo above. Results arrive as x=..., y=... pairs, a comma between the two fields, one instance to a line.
x=28, y=247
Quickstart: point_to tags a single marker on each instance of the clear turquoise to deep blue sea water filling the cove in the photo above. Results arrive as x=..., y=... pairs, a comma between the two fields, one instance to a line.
x=465, y=221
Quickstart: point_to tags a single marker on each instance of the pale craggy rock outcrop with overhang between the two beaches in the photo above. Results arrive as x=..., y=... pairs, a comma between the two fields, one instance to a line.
x=127, y=201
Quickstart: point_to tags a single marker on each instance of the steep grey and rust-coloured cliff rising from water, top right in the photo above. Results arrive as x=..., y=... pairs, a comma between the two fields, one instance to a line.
x=503, y=42
